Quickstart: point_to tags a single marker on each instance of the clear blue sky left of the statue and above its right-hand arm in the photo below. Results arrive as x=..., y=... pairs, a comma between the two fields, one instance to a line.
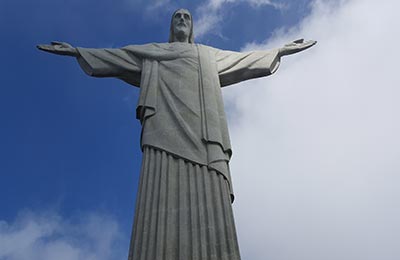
x=70, y=143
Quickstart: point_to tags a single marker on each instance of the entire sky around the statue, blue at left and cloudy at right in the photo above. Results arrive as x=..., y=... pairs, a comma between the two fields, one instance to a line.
x=69, y=144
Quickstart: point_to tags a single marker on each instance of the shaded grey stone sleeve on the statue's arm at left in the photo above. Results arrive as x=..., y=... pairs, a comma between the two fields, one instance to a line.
x=117, y=63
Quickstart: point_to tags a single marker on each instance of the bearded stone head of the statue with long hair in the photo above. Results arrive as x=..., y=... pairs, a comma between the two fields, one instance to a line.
x=181, y=26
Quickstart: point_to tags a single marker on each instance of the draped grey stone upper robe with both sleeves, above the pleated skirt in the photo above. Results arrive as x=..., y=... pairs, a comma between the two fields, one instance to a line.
x=180, y=105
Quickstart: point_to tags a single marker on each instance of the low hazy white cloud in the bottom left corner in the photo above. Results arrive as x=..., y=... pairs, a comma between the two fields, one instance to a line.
x=48, y=236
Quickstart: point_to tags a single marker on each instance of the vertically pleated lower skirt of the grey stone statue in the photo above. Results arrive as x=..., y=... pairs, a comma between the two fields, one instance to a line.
x=183, y=212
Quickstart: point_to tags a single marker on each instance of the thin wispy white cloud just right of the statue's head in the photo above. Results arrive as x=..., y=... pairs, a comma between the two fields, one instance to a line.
x=210, y=13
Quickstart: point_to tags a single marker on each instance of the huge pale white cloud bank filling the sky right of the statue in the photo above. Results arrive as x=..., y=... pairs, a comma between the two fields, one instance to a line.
x=316, y=163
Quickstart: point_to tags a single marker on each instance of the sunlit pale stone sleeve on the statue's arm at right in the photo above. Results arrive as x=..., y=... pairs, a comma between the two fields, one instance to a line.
x=234, y=67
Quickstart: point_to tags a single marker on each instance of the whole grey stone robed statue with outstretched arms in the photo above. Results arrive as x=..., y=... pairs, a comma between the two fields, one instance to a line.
x=183, y=208
